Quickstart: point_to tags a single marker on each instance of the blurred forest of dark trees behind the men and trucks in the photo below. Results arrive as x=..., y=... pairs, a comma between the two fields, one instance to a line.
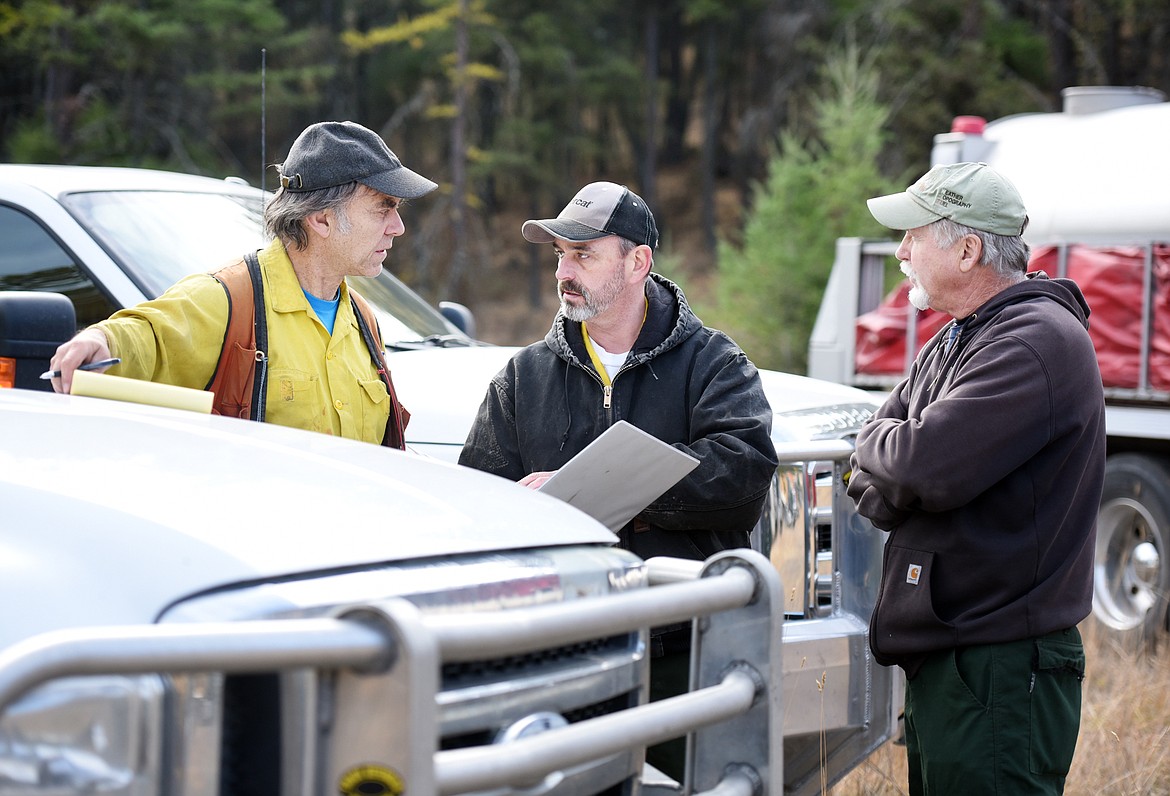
x=755, y=129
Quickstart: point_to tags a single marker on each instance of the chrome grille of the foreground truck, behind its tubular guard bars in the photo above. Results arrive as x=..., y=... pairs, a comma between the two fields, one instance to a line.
x=273, y=731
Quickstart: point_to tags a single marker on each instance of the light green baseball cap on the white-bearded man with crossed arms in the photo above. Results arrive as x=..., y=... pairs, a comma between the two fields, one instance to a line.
x=971, y=194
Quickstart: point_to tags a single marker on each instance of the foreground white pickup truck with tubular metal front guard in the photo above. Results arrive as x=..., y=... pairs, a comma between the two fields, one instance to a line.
x=199, y=606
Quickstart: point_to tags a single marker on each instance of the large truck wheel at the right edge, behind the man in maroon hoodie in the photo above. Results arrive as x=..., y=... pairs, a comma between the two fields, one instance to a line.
x=1132, y=568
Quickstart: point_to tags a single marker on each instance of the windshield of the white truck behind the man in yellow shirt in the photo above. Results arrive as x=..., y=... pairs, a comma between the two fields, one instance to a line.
x=160, y=237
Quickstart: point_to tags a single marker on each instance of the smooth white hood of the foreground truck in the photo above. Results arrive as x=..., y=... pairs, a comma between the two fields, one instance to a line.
x=112, y=512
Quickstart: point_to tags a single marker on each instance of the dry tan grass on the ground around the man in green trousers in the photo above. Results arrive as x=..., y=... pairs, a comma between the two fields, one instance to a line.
x=1124, y=749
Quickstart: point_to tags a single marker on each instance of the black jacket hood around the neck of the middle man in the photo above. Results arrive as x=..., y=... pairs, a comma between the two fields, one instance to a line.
x=670, y=321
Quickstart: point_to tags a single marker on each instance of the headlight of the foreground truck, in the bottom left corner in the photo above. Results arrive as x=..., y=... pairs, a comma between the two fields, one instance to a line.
x=93, y=735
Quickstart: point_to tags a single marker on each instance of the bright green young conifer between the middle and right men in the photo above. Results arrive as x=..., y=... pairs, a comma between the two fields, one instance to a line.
x=770, y=286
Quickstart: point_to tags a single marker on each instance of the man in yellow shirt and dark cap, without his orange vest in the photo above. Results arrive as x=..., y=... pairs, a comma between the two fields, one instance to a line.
x=336, y=215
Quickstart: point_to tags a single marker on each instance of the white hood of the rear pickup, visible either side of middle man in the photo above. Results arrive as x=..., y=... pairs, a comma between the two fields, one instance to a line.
x=448, y=386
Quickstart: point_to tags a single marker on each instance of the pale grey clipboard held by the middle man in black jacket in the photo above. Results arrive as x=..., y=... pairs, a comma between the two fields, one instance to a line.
x=620, y=474
